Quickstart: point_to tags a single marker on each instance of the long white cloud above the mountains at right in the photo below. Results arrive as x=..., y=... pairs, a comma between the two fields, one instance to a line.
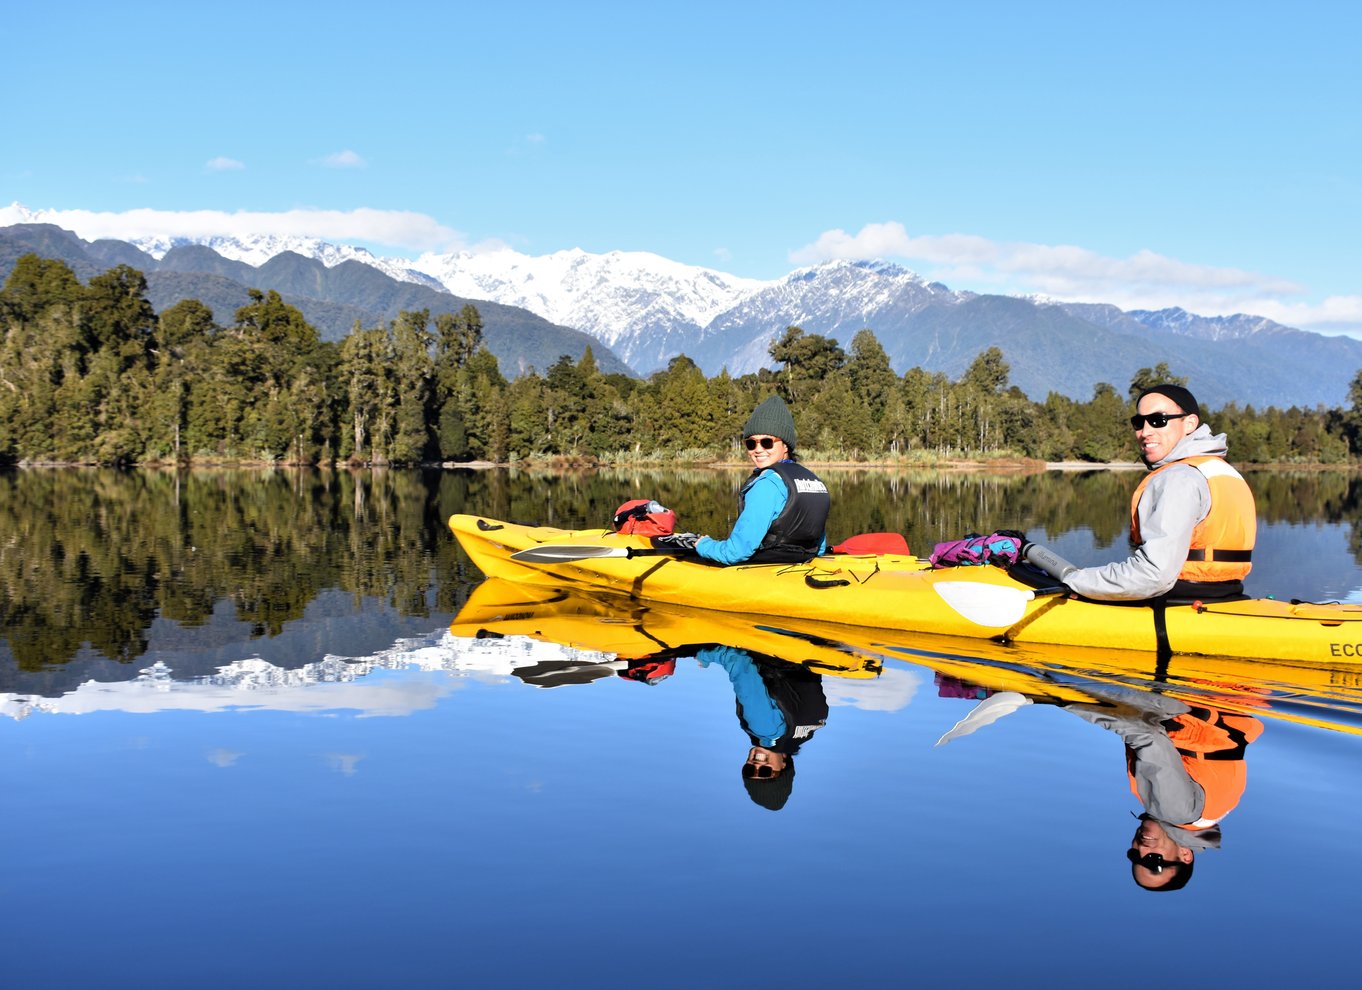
x=1063, y=272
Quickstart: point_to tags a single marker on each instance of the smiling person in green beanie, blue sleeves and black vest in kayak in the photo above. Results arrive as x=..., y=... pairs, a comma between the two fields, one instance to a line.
x=782, y=507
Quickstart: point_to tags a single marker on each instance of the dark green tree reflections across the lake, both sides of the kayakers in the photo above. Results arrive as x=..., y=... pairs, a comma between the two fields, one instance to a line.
x=91, y=558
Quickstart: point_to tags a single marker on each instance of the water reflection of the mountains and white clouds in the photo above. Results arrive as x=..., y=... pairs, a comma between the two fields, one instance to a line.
x=215, y=668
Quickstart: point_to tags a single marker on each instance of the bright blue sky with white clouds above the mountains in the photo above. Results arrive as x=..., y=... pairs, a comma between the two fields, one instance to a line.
x=1197, y=155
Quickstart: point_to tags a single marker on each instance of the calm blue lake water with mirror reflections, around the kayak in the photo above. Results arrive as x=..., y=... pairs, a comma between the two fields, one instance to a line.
x=273, y=731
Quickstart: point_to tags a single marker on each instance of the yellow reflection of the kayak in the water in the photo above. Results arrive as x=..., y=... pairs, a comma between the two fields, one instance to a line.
x=614, y=626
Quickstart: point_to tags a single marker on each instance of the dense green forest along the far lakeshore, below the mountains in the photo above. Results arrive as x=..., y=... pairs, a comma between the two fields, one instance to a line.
x=91, y=374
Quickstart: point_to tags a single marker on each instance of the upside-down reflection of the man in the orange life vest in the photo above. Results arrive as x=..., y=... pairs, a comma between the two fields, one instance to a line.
x=1186, y=766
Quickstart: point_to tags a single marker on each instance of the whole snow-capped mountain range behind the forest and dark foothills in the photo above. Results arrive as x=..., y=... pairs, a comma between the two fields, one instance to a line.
x=648, y=310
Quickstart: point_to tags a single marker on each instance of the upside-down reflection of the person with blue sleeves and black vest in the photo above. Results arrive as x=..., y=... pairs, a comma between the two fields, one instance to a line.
x=780, y=706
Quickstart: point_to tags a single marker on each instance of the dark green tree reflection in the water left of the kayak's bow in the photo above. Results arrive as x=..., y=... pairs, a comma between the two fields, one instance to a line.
x=93, y=558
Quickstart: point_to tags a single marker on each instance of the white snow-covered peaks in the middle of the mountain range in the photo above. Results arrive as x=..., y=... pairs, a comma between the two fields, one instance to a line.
x=645, y=307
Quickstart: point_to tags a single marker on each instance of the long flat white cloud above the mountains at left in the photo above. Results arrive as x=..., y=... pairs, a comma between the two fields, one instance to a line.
x=393, y=228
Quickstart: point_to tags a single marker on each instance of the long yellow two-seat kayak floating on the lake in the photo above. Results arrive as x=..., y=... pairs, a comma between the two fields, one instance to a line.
x=905, y=593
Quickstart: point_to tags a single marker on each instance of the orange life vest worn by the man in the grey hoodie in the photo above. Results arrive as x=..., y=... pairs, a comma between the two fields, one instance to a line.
x=1224, y=541
